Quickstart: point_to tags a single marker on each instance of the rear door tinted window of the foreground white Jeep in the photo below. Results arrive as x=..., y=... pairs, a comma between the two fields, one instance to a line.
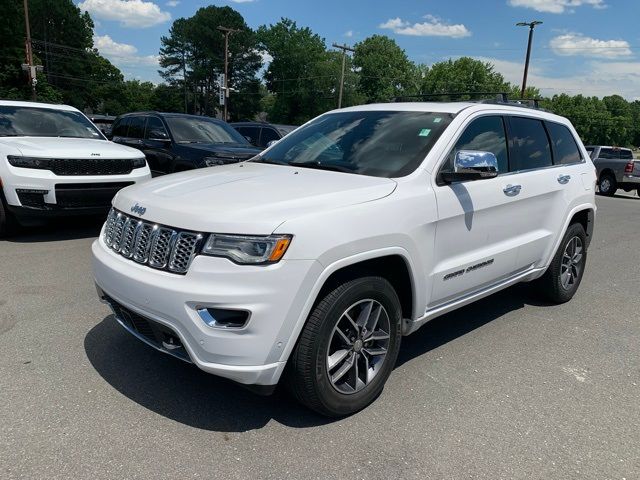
x=530, y=144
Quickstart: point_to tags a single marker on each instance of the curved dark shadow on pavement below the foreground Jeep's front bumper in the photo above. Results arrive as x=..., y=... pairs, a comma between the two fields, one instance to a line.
x=182, y=392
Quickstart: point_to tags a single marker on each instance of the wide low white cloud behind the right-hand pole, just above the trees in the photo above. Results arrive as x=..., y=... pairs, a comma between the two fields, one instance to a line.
x=597, y=78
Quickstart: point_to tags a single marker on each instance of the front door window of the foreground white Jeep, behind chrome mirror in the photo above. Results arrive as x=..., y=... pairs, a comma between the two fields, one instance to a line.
x=485, y=134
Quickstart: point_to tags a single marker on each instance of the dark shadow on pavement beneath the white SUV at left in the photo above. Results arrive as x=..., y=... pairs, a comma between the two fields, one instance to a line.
x=59, y=229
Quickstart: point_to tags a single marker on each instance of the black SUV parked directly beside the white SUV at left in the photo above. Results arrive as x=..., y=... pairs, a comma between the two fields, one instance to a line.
x=175, y=142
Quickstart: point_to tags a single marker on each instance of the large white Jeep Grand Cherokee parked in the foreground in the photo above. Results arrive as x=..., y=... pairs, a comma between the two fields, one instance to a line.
x=316, y=257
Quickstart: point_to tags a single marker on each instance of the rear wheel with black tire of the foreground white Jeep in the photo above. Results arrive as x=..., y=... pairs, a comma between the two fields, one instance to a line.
x=551, y=283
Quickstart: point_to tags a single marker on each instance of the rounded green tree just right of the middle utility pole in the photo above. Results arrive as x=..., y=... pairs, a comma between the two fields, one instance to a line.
x=385, y=70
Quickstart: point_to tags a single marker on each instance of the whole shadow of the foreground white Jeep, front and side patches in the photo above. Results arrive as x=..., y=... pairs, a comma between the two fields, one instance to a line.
x=181, y=392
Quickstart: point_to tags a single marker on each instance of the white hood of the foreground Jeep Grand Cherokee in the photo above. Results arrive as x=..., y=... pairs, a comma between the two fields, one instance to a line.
x=247, y=198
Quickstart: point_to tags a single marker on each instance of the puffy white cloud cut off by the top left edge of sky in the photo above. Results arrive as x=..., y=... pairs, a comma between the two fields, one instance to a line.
x=130, y=13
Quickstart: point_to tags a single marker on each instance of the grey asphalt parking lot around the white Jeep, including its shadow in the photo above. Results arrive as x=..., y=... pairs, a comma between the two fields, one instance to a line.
x=506, y=388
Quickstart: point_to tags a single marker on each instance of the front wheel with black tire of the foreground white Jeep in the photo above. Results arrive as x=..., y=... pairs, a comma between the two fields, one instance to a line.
x=308, y=370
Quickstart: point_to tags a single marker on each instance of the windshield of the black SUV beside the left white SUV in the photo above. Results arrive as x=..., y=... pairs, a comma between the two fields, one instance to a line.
x=203, y=130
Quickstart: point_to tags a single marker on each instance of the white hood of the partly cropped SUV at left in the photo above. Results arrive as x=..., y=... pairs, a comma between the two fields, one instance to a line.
x=56, y=147
